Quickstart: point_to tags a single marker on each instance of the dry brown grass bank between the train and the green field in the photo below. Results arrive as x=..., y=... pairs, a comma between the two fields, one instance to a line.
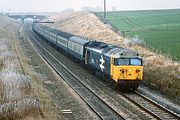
x=159, y=70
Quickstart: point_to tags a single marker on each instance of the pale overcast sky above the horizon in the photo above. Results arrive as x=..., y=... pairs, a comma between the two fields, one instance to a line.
x=59, y=5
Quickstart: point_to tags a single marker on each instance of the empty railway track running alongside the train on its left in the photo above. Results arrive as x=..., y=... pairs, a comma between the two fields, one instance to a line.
x=95, y=102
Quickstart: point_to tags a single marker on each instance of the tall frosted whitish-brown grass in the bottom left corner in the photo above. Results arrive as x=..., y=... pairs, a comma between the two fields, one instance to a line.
x=16, y=100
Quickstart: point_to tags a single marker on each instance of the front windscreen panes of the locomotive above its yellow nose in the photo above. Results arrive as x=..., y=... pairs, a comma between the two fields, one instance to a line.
x=127, y=61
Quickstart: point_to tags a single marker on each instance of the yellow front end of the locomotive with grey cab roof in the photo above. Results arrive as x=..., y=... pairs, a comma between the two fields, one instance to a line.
x=126, y=69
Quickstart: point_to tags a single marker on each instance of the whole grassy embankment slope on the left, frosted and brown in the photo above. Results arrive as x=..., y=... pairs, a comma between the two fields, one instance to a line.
x=21, y=95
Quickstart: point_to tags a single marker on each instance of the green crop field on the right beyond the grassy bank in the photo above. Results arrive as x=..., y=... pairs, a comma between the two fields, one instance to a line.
x=160, y=29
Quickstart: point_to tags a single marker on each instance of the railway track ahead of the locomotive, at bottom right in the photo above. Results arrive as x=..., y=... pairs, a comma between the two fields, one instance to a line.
x=154, y=109
